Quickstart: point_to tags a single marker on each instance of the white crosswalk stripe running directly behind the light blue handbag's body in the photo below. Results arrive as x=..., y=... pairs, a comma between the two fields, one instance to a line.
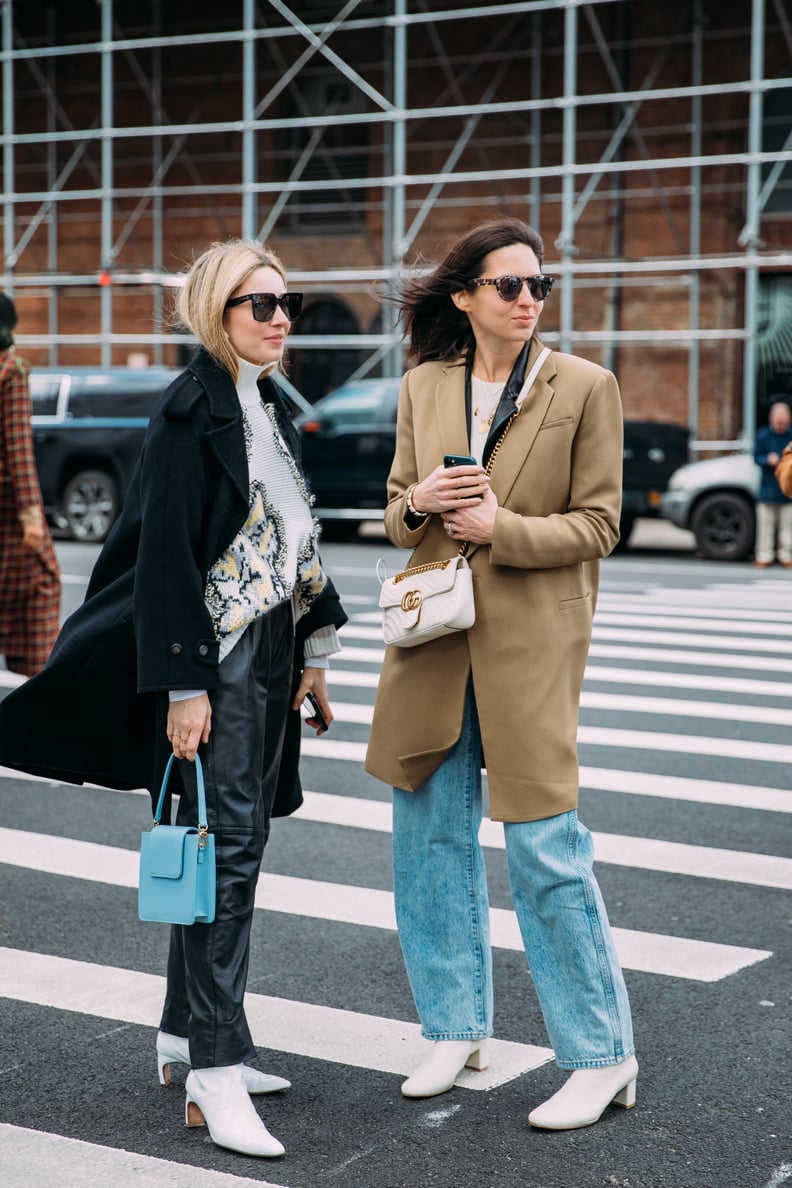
x=370, y=907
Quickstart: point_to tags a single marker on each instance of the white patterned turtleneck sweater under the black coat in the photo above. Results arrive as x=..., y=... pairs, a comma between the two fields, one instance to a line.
x=275, y=555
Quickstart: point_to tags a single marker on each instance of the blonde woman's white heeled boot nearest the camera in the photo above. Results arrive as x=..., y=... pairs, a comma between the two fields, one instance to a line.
x=218, y=1097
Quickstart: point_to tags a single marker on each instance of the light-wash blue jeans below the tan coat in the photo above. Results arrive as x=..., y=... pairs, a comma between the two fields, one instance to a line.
x=443, y=917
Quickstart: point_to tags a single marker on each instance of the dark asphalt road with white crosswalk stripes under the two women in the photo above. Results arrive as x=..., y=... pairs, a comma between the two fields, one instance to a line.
x=686, y=760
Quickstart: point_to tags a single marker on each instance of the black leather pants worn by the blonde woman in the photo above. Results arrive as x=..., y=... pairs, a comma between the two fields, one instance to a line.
x=207, y=964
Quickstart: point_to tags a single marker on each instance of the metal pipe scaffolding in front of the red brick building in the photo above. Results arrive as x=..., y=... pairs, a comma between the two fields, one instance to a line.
x=382, y=128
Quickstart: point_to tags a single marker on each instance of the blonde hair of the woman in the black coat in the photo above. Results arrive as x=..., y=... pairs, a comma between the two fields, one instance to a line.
x=212, y=280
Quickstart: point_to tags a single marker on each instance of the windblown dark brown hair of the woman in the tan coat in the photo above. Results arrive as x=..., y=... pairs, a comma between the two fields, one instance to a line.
x=434, y=327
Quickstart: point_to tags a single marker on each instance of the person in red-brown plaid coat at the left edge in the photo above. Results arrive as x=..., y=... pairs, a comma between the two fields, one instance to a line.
x=30, y=580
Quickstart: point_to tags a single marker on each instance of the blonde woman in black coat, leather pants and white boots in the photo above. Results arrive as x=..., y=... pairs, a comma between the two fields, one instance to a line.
x=207, y=621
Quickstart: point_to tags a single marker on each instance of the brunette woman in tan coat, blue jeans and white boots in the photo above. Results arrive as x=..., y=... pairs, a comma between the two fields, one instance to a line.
x=505, y=693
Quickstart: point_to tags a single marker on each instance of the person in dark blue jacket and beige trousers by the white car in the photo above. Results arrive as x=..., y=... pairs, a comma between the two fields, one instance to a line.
x=774, y=508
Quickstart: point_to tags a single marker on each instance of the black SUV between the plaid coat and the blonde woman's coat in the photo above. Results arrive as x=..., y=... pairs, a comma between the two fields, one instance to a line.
x=88, y=428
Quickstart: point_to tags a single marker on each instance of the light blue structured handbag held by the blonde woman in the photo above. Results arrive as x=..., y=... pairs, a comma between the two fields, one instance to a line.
x=178, y=880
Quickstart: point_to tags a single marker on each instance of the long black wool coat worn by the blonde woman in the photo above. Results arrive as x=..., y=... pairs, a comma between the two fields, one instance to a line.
x=97, y=713
